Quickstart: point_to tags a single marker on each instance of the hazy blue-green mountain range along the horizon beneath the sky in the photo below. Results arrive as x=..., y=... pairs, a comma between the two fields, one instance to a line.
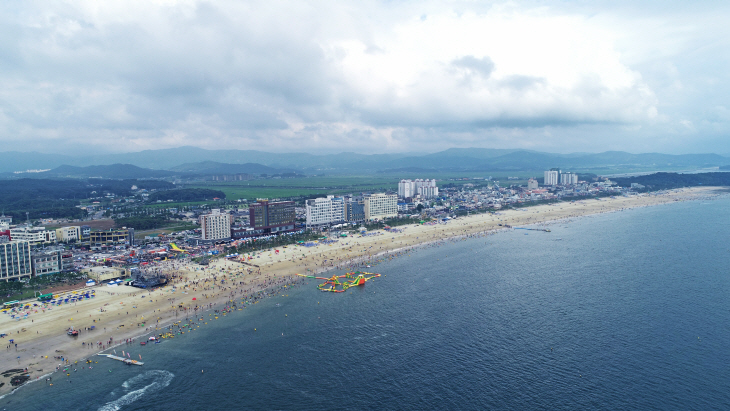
x=191, y=160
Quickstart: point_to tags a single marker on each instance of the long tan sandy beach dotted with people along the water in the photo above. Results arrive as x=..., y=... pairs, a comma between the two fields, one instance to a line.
x=121, y=313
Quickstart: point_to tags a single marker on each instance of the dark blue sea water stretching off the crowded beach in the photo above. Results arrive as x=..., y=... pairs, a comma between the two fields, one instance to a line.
x=627, y=310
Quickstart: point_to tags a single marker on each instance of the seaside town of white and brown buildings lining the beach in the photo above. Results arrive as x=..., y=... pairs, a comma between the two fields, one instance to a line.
x=29, y=249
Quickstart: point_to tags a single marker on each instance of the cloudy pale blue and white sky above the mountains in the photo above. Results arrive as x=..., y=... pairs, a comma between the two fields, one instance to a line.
x=87, y=77
